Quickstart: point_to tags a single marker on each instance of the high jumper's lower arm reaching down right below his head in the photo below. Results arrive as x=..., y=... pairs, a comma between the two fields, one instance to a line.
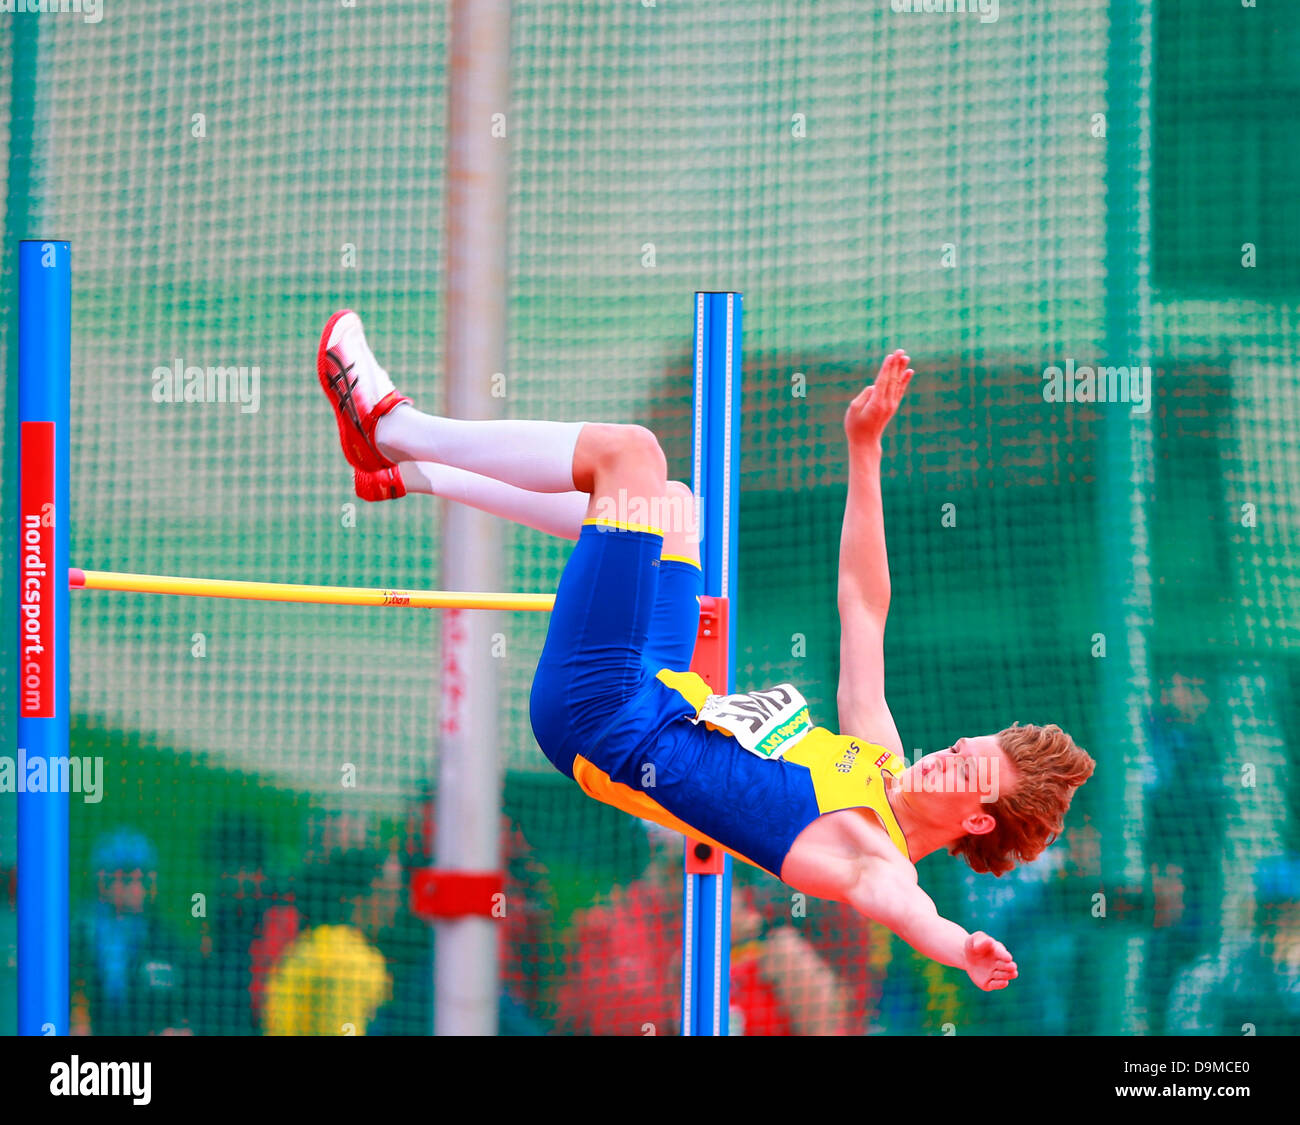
x=887, y=897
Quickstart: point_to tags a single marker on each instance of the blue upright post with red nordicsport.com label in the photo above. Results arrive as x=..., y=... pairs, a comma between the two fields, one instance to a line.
x=45, y=375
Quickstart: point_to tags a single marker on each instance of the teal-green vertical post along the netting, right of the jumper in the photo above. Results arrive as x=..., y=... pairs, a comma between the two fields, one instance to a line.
x=1125, y=478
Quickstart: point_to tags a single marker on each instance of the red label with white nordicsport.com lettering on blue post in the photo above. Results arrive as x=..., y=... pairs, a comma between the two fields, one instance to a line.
x=37, y=572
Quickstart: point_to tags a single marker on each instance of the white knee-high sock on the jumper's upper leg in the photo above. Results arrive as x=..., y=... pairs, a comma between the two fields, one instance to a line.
x=532, y=456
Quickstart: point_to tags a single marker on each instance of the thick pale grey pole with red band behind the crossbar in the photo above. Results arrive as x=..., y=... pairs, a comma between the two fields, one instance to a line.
x=470, y=784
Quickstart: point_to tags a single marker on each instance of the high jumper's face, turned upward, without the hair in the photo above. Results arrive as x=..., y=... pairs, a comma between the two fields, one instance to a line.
x=959, y=786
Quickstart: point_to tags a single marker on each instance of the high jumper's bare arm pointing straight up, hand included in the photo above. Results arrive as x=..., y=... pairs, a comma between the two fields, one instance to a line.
x=864, y=586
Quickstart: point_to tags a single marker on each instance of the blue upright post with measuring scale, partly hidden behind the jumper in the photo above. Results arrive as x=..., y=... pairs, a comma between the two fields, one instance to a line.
x=716, y=482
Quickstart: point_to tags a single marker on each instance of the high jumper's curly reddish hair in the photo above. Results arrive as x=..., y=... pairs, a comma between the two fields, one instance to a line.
x=1038, y=772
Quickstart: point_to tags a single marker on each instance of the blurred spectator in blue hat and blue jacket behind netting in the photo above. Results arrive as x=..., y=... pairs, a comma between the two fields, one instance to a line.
x=129, y=977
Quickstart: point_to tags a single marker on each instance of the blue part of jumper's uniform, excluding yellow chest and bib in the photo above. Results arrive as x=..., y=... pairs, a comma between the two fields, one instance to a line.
x=623, y=615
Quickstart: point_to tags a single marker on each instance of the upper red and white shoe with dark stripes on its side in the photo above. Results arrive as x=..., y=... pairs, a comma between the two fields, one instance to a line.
x=358, y=388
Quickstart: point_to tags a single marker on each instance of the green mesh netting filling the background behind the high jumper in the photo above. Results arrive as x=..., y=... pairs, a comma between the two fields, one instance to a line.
x=869, y=179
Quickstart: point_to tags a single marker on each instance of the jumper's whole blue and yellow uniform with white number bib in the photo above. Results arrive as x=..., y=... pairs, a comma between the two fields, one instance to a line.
x=747, y=773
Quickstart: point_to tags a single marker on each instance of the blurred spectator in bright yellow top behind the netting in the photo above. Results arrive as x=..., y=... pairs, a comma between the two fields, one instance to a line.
x=332, y=979
